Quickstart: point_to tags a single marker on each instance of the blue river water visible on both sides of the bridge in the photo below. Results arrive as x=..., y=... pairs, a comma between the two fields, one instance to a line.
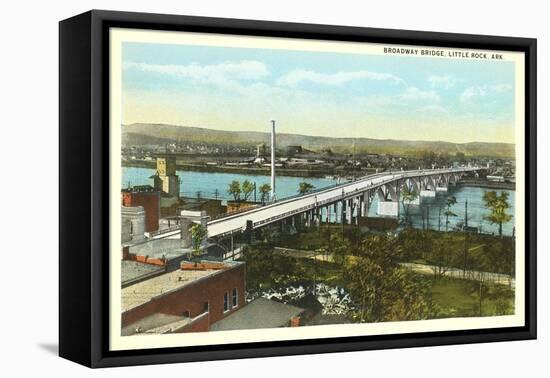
x=215, y=184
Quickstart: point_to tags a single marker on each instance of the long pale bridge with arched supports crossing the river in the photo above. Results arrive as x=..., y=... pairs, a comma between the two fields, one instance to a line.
x=342, y=201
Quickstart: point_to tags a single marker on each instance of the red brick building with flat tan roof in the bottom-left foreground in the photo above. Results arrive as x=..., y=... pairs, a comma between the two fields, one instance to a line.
x=190, y=299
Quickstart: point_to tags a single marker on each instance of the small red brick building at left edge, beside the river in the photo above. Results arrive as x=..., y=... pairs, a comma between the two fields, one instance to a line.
x=147, y=197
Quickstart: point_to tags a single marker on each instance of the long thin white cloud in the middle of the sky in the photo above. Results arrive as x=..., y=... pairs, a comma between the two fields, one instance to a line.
x=296, y=77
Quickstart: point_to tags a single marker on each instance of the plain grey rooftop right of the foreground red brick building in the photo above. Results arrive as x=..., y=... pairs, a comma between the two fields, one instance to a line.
x=260, y=313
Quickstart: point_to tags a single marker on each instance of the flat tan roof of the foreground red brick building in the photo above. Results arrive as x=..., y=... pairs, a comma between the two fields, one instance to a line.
x=145, y=291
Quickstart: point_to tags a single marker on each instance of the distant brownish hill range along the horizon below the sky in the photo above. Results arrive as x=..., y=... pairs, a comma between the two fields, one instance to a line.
x=146, y=134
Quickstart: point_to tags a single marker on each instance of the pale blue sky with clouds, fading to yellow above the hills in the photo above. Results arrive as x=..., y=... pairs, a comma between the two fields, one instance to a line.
x=319, y=93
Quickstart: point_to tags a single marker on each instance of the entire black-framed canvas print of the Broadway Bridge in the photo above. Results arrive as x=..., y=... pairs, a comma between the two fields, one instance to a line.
x=235, y=188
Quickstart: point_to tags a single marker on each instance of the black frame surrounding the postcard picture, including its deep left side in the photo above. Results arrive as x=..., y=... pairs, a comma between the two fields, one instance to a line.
x=83, y=196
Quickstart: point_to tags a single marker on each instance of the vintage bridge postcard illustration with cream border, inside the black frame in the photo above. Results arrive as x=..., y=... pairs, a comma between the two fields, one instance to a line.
x=286, y=189
